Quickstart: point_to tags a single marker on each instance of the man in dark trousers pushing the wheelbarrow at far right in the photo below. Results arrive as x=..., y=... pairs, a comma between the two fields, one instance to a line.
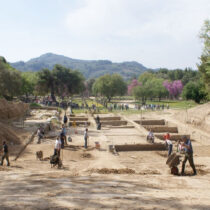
x=188, y=155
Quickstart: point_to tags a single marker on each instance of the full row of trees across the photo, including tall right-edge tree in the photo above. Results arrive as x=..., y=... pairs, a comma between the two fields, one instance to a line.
x=62, y=81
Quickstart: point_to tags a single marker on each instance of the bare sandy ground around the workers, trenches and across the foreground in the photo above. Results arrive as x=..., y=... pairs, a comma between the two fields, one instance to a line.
x=32, y=184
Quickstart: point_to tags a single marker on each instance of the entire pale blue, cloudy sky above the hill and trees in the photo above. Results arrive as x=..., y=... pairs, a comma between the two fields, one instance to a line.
x=156, y=33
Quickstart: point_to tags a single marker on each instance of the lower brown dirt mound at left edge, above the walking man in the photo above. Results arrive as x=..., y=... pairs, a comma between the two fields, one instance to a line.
x=7, y=133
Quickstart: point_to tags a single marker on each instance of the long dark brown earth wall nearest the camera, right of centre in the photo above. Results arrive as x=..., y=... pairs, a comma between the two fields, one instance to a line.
x=140, y=147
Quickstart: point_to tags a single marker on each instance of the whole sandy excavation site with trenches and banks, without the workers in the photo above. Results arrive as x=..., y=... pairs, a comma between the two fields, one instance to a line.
x=119, y=169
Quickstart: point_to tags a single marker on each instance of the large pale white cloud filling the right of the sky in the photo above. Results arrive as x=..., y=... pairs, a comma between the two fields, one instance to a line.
x=154, y=32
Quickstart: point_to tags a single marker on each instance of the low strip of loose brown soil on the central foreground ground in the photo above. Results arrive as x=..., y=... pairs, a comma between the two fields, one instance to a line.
x=113, y=171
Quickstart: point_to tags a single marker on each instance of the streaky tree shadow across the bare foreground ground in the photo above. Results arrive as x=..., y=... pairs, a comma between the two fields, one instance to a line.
x=82, y=192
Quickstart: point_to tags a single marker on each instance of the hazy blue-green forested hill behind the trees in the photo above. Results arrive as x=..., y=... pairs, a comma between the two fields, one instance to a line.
x=90, y=69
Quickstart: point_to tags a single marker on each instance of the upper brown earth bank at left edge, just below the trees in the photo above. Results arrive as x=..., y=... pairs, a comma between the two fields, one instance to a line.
x=12, y=110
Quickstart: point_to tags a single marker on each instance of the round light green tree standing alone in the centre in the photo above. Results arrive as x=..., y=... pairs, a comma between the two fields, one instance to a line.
x=109, y=86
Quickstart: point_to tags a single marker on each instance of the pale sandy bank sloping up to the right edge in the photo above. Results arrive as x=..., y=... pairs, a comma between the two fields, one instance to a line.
x=198, y=116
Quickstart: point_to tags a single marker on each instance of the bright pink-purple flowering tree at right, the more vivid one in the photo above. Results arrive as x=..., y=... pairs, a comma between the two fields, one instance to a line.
x=174, y=88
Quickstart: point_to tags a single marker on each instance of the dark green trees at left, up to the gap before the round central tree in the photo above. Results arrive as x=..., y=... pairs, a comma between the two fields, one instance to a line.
x=60, y=81
